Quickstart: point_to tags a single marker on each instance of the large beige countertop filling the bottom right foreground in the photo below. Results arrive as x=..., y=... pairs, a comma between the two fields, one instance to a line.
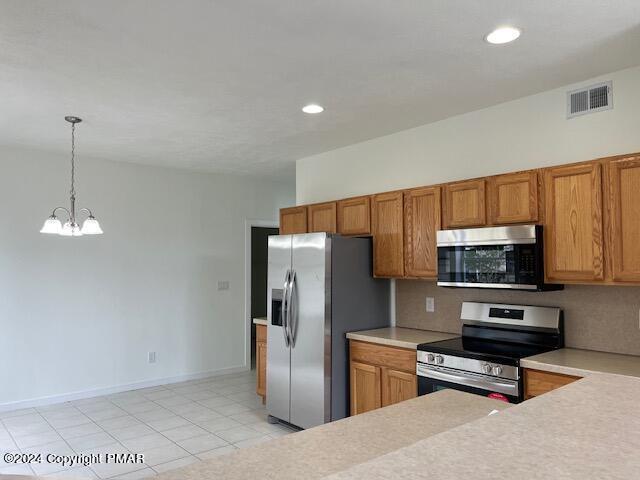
x=589, y=429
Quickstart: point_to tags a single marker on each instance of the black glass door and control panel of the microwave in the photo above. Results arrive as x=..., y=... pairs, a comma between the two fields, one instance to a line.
x=498, y=264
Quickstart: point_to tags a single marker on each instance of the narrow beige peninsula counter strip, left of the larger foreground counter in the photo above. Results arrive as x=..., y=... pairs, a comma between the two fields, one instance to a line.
x=330, y=448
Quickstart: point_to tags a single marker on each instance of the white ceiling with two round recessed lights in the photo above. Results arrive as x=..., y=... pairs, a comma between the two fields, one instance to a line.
x=218, y=85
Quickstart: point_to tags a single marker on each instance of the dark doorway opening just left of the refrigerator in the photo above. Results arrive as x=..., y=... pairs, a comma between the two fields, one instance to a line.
x=258, y=309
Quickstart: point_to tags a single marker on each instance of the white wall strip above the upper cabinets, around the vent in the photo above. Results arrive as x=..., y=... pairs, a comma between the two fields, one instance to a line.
x=525, y=133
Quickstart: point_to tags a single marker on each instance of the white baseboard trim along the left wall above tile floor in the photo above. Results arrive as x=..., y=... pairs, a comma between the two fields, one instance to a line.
x=67, y=397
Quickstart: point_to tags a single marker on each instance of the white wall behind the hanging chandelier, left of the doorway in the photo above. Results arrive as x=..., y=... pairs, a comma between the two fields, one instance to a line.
x=81, y=314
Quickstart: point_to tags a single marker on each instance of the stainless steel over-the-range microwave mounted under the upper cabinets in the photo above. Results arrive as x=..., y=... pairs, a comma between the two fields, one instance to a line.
x=493, y=257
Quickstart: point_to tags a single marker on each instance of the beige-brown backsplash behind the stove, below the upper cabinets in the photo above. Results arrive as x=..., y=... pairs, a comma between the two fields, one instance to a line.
x=604, y=318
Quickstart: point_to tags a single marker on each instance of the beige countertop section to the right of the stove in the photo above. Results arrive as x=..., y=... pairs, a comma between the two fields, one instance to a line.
x=580, y=363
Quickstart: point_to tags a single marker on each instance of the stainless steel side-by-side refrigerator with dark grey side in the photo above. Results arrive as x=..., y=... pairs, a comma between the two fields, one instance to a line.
x=319, y=287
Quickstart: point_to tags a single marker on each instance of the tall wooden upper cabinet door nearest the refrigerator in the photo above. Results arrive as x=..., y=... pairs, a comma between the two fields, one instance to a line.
x=387, y=227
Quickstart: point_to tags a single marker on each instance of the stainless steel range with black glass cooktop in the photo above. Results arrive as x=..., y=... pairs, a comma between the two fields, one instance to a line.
x=485, y=360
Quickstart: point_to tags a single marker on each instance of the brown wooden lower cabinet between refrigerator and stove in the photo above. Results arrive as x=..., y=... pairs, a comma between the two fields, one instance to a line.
x=380, y=375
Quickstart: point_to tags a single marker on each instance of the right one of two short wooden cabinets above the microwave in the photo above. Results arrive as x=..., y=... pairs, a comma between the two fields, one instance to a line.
x=513, y=198
